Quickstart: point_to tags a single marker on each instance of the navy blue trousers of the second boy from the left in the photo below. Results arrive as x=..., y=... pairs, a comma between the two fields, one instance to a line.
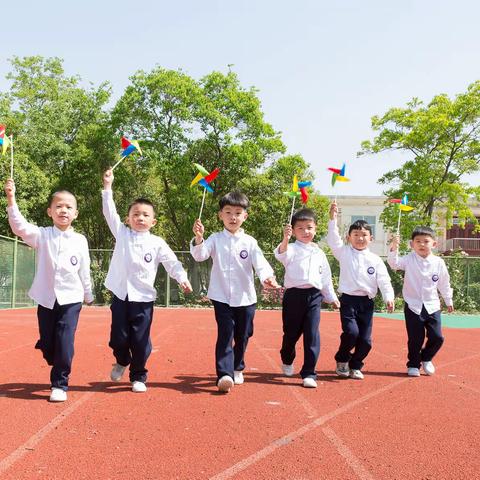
x=130, y=335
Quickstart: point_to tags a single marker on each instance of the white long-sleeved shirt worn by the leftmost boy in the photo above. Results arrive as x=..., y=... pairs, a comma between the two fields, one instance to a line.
x=63, y=262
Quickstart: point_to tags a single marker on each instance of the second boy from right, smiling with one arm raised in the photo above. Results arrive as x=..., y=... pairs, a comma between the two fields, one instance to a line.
x=362, y=273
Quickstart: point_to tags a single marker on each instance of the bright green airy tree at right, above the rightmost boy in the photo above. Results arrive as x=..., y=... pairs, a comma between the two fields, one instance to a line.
x=442, y=143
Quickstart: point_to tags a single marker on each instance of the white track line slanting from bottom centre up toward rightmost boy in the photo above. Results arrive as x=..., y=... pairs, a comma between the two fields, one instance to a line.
x=286, y=439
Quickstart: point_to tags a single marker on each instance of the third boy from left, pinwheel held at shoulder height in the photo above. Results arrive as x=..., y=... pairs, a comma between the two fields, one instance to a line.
x=231, y=289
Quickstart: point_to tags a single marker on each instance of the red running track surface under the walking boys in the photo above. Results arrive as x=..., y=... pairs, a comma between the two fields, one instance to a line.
x=387, y=426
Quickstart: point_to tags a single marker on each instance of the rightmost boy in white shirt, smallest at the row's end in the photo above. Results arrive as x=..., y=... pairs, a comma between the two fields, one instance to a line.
x=425, y=276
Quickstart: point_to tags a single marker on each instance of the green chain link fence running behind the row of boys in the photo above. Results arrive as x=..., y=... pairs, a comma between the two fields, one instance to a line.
x=17, y=269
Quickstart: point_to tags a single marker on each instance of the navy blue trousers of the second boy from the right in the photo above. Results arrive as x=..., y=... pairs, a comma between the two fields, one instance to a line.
x=356, y=314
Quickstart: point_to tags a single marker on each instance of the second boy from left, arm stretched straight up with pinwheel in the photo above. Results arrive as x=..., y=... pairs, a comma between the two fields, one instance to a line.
x=131, y=278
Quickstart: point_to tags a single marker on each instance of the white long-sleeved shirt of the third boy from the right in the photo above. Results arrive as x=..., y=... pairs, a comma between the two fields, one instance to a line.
x=307, y=266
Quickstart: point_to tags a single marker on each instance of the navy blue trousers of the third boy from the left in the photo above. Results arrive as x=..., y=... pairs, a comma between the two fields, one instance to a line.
x=234, y=328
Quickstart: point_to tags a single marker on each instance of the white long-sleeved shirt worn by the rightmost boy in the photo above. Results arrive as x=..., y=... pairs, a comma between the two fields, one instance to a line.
x=424, y=278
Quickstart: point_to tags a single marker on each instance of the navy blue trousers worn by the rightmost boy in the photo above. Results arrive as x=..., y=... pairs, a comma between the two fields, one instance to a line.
x=417, y=326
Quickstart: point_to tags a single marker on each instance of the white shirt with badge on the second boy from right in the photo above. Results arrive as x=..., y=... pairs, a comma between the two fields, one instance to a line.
x=362, y=272
